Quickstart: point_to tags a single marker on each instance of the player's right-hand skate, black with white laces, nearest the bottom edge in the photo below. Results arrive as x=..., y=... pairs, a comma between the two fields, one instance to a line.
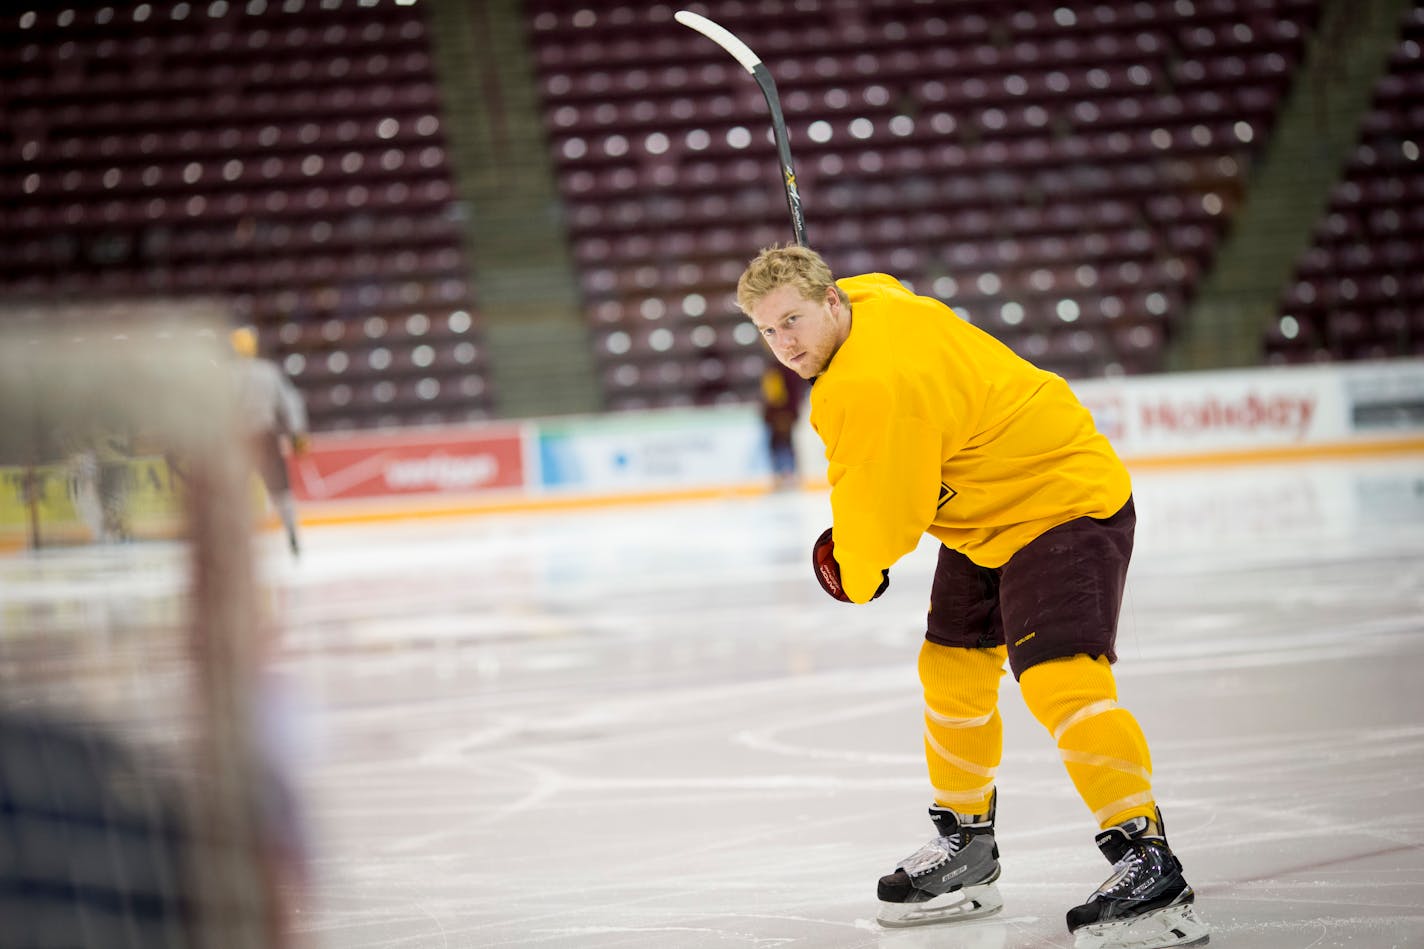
x=1147, y=903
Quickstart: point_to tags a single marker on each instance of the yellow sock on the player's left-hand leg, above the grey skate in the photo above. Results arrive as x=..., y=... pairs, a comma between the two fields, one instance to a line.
x=963, y=732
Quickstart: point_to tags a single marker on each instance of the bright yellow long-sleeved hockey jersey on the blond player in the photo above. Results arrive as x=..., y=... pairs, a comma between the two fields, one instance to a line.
x=933, y=425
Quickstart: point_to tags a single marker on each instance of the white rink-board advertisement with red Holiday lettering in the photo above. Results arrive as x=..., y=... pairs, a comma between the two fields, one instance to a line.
x=1220, y=411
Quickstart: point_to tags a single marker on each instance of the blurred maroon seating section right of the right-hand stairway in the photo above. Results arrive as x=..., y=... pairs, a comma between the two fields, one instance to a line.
x=1359, y=291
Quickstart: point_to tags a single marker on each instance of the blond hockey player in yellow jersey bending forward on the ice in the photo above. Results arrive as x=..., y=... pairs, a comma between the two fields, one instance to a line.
x=932, y=425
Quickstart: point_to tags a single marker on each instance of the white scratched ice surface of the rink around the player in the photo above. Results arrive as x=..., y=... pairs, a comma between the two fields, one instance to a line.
x=647, y=726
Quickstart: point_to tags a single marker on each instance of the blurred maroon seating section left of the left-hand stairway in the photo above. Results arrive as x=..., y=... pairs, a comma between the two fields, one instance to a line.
x=284, y=156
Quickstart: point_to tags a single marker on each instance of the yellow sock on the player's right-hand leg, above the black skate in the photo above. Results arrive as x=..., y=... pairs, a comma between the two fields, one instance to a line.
x=1100, y=743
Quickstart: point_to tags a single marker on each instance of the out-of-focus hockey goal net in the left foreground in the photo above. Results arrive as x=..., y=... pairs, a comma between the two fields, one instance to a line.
x=137, y=807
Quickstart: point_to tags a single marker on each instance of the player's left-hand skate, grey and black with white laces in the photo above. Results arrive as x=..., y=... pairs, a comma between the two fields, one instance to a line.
x=949, y=878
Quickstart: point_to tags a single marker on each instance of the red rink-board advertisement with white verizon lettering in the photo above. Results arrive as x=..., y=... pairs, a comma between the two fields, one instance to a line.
x=442, y=462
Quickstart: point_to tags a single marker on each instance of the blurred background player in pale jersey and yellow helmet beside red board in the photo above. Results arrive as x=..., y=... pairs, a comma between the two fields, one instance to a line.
x=271, y=410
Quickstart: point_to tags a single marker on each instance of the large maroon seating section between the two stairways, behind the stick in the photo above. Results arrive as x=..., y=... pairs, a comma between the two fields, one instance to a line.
x=1060, y=173
